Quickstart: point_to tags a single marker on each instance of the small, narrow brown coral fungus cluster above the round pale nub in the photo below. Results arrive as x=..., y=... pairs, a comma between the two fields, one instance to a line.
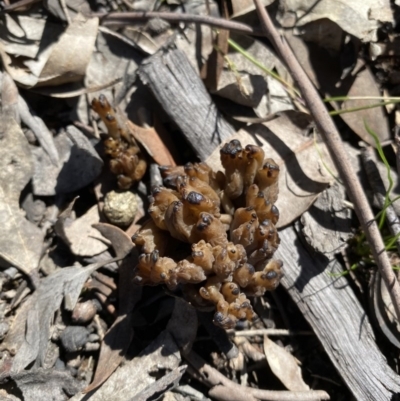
x=126, y=162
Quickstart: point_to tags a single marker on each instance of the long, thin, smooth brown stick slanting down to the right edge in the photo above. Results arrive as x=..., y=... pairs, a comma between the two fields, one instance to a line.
x=334, y=143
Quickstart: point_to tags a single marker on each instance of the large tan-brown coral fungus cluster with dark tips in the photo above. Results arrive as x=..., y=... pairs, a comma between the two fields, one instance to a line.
x=214, y=233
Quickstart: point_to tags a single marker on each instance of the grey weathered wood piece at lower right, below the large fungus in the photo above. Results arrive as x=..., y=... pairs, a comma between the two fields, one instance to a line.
x=337, y=318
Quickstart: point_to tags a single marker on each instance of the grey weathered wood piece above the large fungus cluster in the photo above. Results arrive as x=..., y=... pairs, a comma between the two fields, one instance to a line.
x=182, y=94
